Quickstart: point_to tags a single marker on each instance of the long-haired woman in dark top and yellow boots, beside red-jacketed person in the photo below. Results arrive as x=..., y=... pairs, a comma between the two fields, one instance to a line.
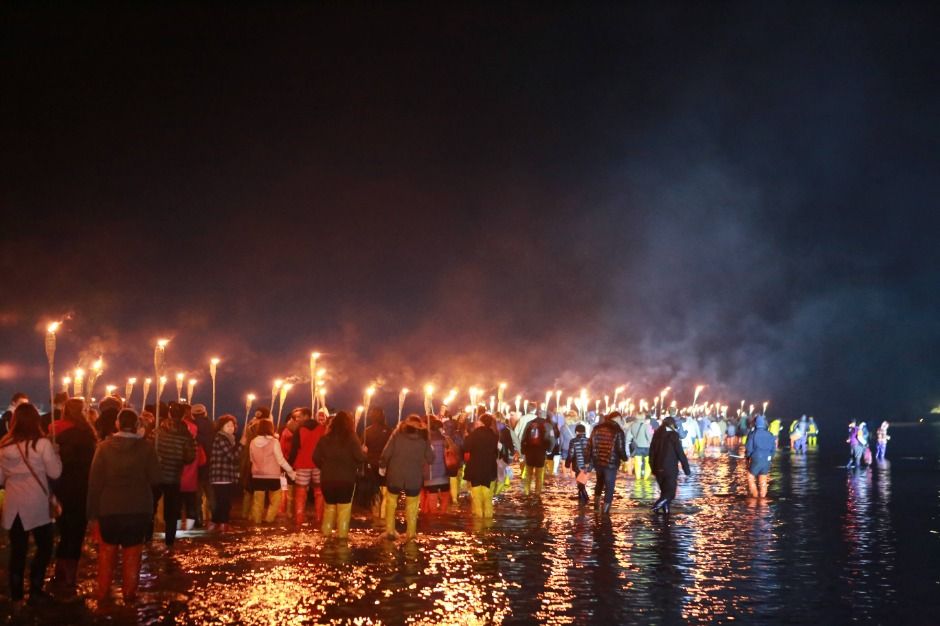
x=338, y=455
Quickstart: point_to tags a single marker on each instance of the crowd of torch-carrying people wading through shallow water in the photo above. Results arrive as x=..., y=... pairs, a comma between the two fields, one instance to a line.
x=119, y=476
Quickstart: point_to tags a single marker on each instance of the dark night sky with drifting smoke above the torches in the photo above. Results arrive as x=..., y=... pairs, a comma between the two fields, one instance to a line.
x=739, y=195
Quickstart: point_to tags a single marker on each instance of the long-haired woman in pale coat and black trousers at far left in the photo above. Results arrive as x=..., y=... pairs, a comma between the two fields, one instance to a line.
x=27, y=462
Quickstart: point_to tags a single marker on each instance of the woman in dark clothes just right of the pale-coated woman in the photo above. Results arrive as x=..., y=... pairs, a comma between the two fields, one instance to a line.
x=77, y=441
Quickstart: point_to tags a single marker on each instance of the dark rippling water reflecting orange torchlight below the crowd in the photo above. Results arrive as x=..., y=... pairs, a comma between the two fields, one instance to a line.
x=829, y=546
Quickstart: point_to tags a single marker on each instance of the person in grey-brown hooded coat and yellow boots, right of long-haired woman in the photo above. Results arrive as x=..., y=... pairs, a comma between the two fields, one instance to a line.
x=403, y=459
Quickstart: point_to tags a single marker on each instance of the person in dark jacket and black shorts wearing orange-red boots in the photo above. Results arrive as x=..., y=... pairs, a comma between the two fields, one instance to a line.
x=120, y=502
